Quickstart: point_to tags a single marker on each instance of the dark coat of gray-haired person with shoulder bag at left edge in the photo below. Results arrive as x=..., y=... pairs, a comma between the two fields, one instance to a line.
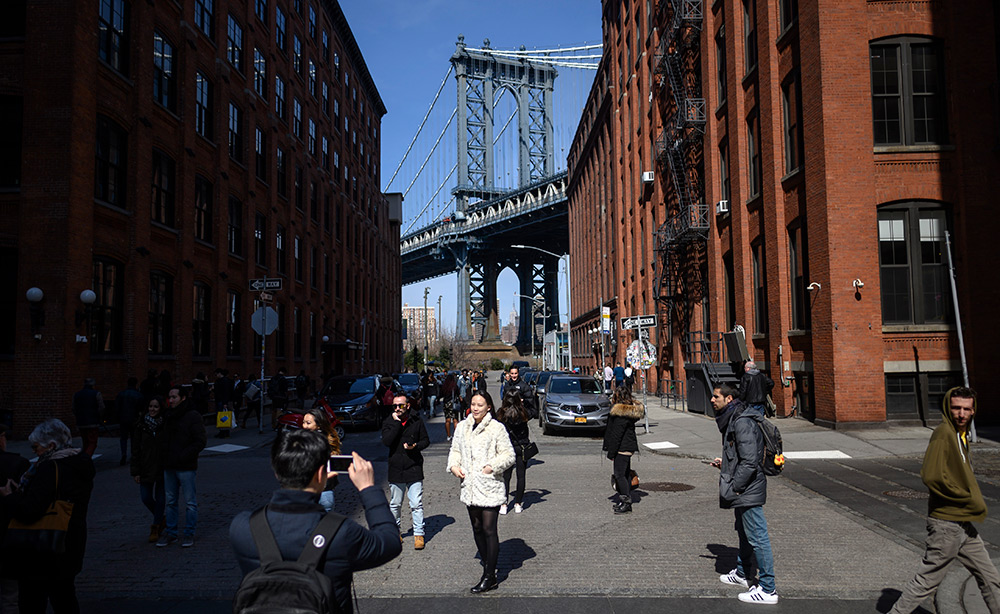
x=75, y=483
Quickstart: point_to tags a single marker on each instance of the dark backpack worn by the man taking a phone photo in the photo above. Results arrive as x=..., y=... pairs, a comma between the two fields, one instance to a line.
x=279, y=586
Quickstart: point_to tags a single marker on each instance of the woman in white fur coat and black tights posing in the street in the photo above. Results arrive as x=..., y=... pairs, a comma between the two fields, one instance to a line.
x=480, y=453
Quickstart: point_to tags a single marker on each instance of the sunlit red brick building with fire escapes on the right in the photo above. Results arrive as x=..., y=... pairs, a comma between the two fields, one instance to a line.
x=823, y=150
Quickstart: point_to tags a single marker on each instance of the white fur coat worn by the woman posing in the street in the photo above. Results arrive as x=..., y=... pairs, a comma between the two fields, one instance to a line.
x=472, y=450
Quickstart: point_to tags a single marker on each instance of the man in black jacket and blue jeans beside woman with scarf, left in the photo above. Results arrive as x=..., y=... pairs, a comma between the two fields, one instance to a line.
x=184, y=433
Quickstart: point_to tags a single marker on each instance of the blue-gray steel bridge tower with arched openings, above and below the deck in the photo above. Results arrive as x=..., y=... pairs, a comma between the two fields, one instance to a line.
x=480, y=77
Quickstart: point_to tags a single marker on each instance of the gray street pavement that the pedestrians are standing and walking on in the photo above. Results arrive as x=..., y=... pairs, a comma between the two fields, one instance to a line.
x=841, y=544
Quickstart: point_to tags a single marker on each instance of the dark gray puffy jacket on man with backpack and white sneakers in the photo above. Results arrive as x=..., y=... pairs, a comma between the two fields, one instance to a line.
x=742, y=482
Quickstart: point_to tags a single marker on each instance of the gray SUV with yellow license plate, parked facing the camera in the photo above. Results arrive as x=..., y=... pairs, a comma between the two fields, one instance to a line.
x=572, y=401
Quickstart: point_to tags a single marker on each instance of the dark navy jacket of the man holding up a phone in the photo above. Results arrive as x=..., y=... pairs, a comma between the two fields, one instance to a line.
x=294, y=514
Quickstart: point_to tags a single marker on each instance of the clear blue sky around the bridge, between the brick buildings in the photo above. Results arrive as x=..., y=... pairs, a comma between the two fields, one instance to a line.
x=407, y=43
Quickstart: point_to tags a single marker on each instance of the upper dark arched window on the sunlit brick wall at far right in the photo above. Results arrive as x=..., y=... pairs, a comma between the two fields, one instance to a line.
x=908, y=103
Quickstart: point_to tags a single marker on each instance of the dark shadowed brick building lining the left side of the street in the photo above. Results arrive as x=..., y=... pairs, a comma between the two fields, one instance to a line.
x=161, y=155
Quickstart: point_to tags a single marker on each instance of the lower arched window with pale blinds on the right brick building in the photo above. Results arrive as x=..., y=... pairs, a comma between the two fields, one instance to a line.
x=915, y=284
